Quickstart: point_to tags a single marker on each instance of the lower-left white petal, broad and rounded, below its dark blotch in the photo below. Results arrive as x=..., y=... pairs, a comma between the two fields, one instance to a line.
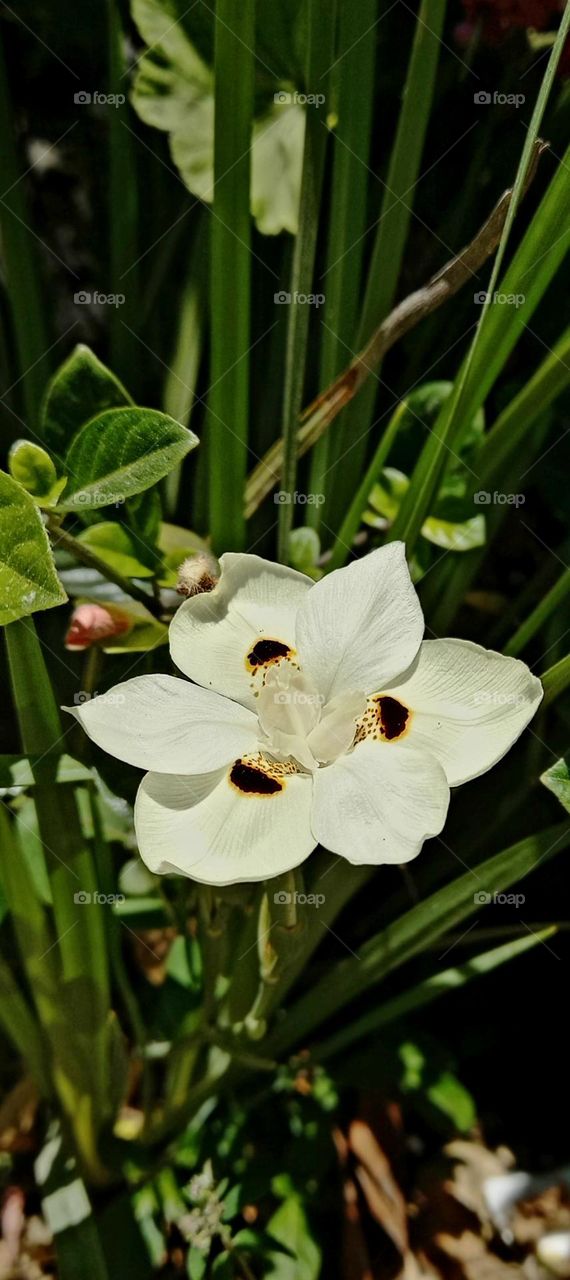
x=206, y=829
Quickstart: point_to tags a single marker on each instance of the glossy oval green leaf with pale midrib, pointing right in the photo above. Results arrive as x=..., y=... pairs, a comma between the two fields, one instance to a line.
x=121, y=454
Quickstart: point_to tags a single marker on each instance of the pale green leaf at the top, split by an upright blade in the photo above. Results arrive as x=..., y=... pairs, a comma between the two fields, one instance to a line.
x=175, y=92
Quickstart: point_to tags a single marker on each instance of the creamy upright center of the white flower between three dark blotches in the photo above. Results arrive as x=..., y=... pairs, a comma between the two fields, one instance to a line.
x=299, y=724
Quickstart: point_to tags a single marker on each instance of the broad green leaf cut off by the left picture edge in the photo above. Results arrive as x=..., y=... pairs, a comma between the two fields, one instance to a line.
x=28, y=573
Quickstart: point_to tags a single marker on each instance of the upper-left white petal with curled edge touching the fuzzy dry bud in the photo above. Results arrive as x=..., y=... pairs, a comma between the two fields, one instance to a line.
x=213, y=634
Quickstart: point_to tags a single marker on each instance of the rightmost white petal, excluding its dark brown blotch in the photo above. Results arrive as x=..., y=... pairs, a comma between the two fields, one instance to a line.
x=469, y=705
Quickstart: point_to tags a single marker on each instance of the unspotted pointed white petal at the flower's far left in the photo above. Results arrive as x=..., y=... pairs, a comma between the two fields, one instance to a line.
x=165, y=724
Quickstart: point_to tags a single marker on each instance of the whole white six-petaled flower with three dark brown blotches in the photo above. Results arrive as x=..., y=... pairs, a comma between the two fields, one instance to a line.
x=318, y=716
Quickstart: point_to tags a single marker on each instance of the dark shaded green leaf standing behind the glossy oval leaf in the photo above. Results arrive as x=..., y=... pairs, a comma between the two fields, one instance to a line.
x=80, y=390
